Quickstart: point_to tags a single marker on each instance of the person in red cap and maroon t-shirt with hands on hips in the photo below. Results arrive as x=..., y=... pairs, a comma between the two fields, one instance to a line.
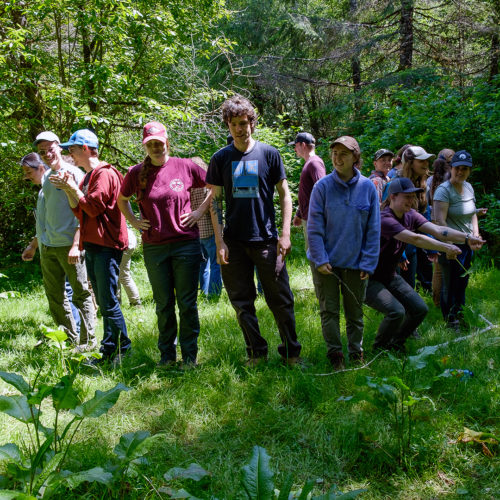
x=172, y=253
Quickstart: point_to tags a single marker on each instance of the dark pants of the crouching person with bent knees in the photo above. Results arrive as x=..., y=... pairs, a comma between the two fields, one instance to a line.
x=402, y=306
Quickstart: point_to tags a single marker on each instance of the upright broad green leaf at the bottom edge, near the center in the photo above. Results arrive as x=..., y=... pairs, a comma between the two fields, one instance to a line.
x=257, y=477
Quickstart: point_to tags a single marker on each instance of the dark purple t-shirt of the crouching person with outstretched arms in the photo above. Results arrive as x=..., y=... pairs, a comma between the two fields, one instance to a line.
x=391, y=249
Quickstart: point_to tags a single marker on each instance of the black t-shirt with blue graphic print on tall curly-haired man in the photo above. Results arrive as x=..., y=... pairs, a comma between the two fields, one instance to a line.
x=248, y=180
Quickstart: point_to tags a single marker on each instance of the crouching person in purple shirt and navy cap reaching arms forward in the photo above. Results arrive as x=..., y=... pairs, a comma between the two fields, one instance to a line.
x=387, y=291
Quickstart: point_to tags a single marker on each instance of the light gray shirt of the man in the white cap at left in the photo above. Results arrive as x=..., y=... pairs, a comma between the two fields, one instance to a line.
x=56, y=223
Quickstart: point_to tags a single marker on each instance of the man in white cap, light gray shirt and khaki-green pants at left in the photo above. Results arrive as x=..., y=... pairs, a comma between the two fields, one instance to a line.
x=57, y=238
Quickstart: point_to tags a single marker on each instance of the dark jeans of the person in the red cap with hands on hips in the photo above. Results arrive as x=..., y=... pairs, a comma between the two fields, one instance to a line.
x=173, y=270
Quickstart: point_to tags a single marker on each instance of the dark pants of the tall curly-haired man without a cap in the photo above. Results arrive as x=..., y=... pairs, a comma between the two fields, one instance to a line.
x=238, y=277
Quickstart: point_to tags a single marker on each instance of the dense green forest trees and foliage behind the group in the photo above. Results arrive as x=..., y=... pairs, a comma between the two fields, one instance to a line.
x=387, y=72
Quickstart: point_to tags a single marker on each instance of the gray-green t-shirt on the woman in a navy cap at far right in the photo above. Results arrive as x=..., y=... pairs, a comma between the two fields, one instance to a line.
x=461, y=207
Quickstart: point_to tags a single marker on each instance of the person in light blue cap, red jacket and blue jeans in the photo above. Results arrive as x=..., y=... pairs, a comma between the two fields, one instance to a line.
x=103, y=235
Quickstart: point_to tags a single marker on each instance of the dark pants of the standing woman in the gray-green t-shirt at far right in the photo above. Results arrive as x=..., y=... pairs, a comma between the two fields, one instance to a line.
x=454, y=284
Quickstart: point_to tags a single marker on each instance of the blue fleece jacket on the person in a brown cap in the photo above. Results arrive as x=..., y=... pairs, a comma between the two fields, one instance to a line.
x=343, y=226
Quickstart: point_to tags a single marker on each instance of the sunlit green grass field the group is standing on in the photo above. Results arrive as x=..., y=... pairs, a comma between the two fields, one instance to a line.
x=215, y=414
